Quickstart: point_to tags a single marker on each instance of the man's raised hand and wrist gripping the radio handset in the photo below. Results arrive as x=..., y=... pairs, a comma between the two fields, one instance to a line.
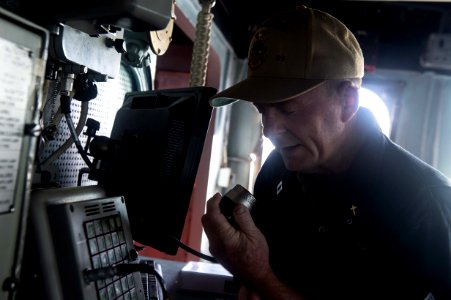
x=243, y=251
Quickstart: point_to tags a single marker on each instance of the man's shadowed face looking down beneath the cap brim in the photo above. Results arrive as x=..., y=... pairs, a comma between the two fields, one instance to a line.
x=306, y=130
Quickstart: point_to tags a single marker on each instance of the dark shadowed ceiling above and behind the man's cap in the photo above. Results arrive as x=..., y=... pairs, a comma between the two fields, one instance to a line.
x=392, y=34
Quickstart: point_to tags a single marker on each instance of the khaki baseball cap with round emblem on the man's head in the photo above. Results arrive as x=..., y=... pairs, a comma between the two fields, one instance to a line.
x=292, y=53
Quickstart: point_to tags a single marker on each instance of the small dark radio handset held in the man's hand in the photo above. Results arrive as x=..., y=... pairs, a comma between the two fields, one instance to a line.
x=237, y=195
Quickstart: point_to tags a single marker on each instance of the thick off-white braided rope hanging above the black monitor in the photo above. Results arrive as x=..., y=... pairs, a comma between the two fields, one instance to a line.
x=198, y=71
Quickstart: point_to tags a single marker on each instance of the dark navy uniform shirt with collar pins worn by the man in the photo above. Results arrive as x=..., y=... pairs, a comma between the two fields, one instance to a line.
x=380, y=230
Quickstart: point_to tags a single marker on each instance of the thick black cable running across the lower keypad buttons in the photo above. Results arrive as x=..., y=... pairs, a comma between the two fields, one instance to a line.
x=124, y=269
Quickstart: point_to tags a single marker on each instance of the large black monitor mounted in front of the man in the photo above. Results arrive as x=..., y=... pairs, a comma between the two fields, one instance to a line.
x=158, y=139
